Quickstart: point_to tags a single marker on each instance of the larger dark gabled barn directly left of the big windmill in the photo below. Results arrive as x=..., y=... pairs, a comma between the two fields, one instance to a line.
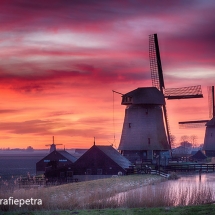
x=101, y=160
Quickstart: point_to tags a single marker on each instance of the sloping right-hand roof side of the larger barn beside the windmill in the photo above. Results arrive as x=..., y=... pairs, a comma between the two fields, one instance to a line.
x=115, y=156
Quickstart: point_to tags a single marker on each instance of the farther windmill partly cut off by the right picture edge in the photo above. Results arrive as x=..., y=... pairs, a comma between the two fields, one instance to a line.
x=209, y=140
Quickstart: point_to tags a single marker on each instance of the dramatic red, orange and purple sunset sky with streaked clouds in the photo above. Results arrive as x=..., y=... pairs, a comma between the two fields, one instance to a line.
x=60, y=61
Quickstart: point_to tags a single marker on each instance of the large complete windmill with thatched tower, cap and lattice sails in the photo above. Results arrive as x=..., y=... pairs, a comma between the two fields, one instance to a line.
x=146, y=131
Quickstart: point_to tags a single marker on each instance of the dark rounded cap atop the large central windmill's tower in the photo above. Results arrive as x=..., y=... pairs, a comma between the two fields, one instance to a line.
x=144, y=95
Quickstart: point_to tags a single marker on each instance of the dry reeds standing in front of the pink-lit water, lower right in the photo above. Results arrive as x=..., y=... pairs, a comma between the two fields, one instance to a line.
x=166, y=196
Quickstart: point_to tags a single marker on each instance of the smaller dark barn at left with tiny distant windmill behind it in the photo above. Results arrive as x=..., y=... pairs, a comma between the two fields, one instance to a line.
x=54, y=160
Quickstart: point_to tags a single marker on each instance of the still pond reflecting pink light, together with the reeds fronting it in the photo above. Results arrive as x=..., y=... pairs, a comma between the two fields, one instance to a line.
x=187, y=190
